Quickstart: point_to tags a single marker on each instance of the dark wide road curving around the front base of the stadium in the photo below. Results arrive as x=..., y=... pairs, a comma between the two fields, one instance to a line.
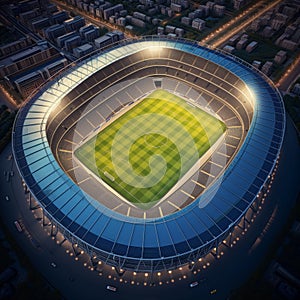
x=226, y=274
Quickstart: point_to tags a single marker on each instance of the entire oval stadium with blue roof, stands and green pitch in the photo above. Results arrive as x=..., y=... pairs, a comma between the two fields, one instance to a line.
x=148, y=154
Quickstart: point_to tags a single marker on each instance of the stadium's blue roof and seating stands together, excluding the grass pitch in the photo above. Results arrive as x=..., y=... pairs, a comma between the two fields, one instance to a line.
x=199, y=214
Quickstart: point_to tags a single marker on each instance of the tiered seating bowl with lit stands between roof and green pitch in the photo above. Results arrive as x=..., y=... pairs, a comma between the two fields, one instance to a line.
x=103, y=95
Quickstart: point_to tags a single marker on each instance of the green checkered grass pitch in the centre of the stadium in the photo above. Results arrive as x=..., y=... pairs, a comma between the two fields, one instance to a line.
x=143, y=153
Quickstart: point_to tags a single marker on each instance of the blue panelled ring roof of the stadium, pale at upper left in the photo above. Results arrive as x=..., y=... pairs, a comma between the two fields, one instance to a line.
x=203, y=221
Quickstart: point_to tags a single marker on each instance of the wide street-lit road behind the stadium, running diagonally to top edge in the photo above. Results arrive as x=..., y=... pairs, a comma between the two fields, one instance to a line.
x=225, y=32
